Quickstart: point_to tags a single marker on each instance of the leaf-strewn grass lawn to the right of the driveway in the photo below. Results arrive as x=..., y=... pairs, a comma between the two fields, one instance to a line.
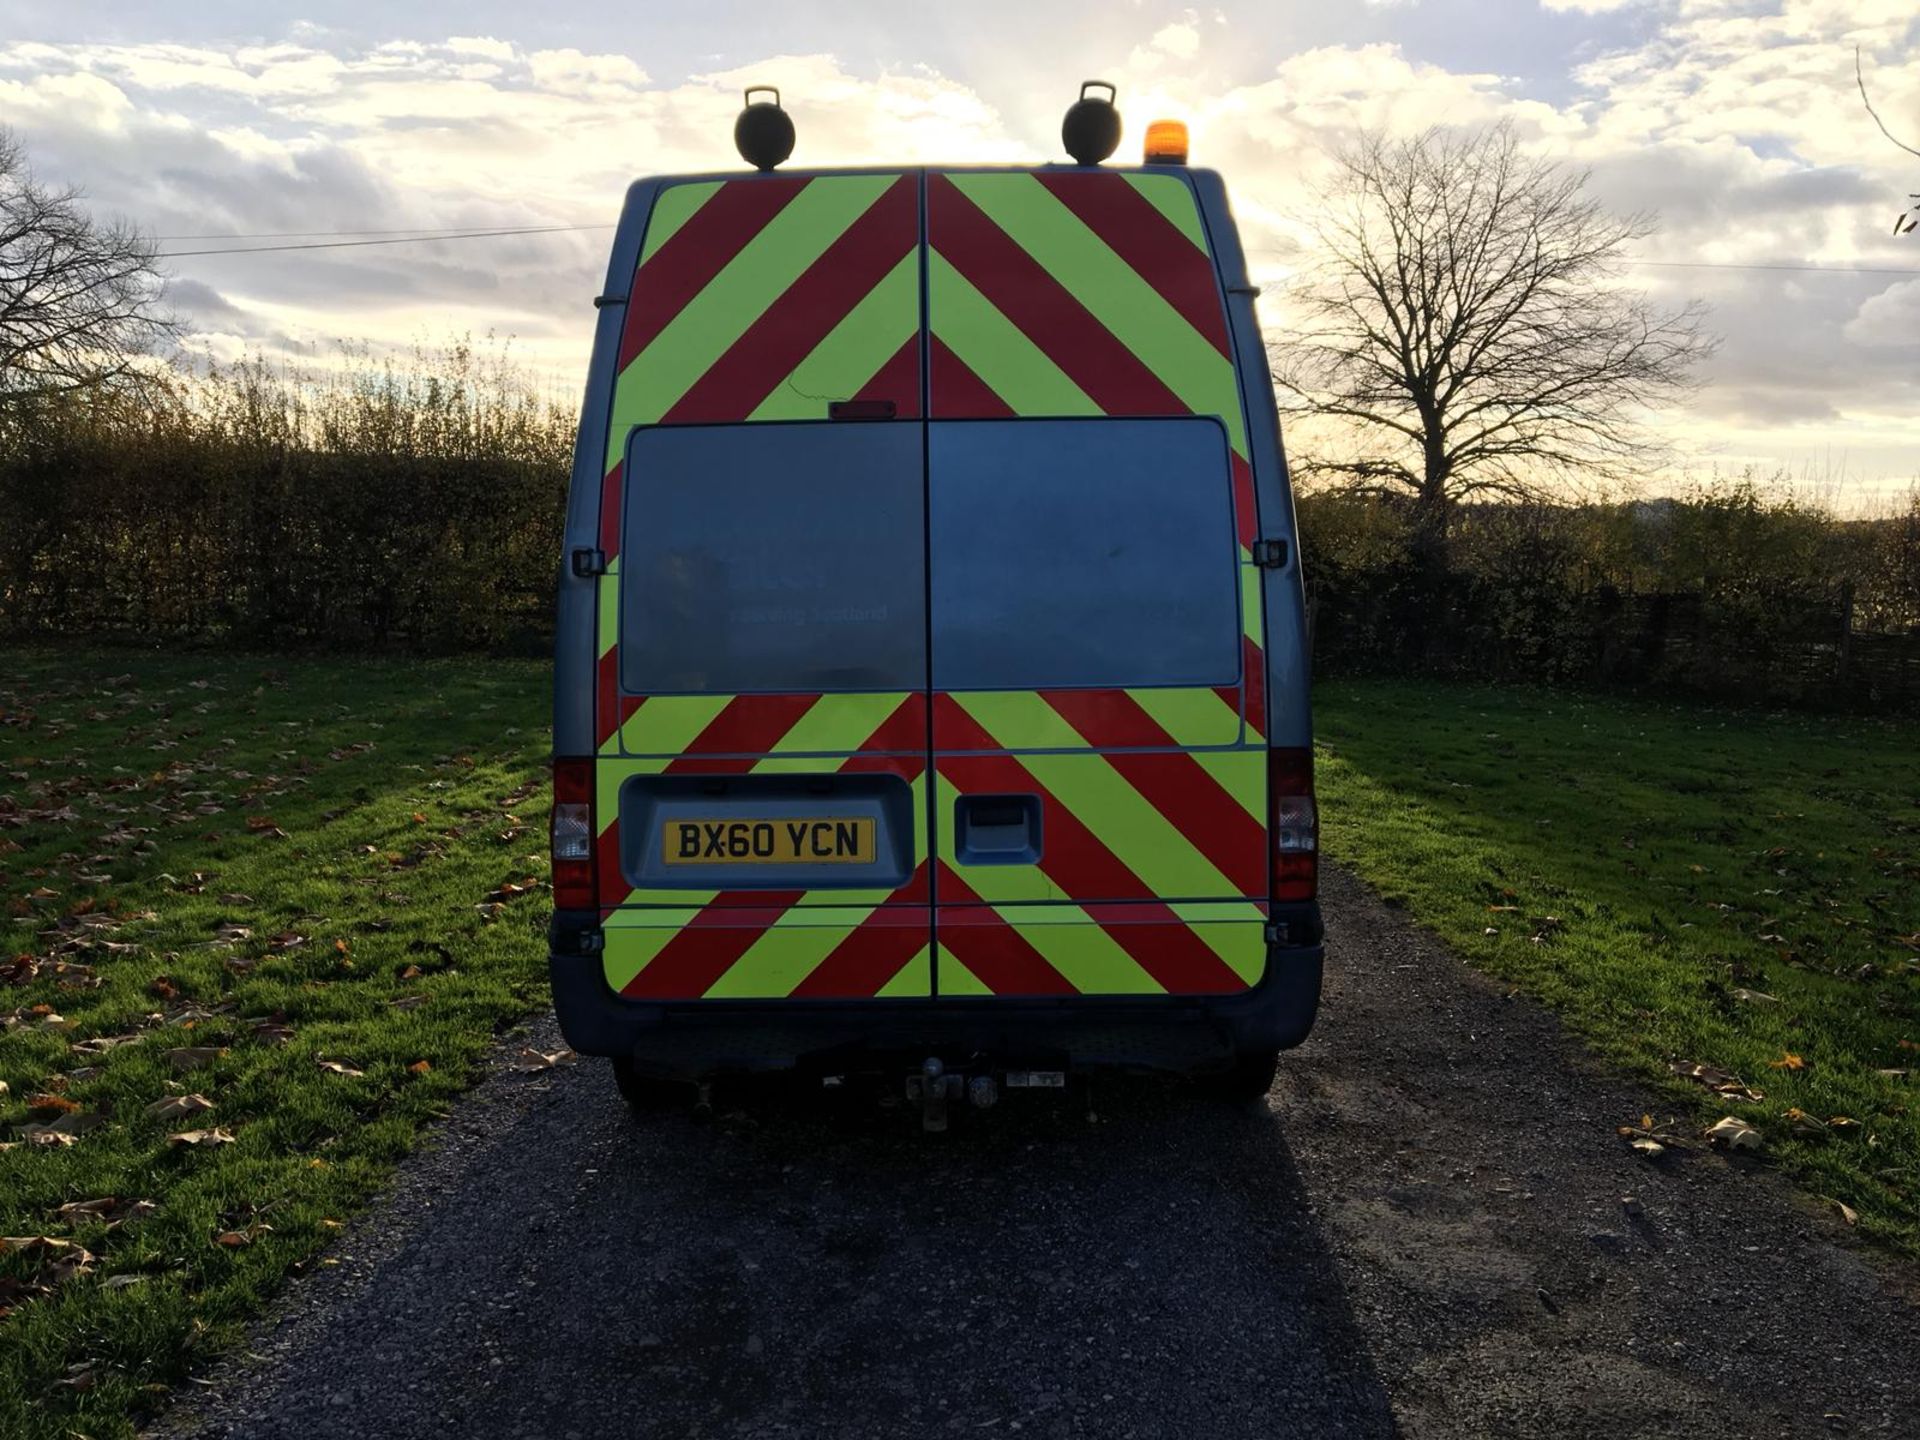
x=1683, y=886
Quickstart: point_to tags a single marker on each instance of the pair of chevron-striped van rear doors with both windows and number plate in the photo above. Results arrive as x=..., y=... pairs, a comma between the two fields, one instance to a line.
x=928, y=640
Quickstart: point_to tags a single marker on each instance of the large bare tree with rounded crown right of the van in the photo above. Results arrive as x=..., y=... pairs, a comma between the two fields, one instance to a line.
x=1466, y=322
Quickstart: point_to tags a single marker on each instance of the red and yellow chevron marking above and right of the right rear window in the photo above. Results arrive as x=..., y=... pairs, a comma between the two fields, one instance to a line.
x=1088, y=295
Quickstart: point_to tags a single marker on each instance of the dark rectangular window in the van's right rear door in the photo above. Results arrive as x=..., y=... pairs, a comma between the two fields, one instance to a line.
x=1084, y=554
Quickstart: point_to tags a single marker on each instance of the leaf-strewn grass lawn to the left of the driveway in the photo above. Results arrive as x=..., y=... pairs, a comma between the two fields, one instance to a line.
x=308, y=894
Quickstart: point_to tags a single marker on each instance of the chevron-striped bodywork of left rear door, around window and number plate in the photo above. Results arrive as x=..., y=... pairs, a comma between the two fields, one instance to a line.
x=757, y=300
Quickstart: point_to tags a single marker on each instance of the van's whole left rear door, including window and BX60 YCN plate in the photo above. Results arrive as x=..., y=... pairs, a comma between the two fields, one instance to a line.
x=763, y=731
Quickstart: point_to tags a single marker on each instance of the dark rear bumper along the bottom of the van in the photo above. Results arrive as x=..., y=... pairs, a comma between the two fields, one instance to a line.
x=713, y=1038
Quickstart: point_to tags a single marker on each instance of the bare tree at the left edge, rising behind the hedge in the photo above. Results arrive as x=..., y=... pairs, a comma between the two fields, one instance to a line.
x=80, y=300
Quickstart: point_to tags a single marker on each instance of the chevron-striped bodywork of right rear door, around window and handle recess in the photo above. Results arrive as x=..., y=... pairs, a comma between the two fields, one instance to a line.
x=1095, y=295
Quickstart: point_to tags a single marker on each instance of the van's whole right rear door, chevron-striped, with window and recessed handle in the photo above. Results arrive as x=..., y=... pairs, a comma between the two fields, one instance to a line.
x=1095, y=617
